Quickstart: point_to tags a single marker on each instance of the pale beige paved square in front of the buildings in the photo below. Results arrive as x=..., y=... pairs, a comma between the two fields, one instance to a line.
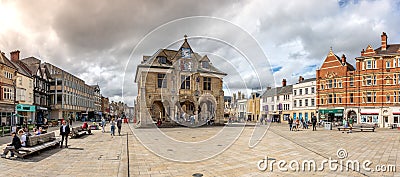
x=102, y=155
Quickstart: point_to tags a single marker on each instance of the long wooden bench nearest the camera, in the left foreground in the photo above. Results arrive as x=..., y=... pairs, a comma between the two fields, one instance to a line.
x=36, y=143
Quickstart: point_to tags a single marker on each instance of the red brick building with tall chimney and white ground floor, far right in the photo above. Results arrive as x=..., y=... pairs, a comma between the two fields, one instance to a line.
x=379, y=82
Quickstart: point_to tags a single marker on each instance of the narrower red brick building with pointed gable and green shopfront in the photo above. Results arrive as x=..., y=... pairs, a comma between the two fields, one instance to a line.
x=334, y=87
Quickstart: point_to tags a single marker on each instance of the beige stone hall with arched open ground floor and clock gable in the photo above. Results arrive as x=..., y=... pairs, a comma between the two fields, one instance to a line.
x=179, y=86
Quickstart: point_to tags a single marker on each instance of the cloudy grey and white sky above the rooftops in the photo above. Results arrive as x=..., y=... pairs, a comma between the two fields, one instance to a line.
x=102, y=41
